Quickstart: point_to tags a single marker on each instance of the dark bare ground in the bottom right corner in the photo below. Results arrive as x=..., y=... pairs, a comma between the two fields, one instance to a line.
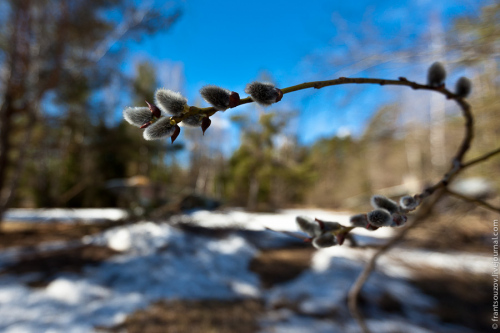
x=462, y=298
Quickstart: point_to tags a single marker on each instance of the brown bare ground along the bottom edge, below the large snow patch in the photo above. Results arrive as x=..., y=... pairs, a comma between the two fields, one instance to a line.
x=193, y=316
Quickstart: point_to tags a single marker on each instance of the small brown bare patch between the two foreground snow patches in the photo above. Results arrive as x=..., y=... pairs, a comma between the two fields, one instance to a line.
x=283, y=264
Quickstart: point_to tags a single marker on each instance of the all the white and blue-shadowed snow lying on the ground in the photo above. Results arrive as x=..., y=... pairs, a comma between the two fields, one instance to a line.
x=159, y=261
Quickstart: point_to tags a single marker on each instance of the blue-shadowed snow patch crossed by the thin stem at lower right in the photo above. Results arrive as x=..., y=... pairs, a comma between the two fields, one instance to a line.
x=322, y=290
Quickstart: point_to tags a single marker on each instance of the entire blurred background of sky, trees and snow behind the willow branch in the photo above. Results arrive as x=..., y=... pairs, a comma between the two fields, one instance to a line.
x=86, y=204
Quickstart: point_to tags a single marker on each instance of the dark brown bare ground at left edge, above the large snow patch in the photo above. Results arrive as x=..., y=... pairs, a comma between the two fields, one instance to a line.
x=49, y=264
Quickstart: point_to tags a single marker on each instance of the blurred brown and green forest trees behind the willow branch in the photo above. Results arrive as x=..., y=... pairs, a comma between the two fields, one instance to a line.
x=61, y=147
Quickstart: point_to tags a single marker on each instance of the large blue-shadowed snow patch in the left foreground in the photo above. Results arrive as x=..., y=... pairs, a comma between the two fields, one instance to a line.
x=159, y=262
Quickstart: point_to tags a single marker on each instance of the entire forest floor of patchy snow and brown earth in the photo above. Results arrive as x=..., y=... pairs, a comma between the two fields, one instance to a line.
x=223, y=272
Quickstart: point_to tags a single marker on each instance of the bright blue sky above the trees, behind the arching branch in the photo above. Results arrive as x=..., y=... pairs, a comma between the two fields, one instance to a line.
x=231, y=43
